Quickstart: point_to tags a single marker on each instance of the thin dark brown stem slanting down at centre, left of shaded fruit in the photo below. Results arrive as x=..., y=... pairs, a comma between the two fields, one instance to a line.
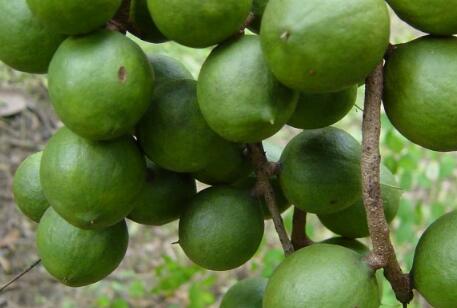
x=264, y=170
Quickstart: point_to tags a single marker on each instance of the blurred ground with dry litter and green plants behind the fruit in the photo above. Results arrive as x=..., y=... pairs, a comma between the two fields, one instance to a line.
x=155, y=272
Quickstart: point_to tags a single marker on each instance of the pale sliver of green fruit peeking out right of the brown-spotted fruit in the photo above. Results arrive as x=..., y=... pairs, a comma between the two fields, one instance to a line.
x=167, y=69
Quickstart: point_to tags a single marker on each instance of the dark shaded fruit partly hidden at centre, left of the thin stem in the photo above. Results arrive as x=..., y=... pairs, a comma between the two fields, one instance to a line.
x=229, y=166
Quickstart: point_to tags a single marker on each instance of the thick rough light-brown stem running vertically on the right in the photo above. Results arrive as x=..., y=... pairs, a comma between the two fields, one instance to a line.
x=383, y=254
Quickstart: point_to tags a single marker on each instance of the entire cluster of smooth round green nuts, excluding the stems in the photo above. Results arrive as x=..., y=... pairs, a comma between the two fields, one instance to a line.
x=139, y=131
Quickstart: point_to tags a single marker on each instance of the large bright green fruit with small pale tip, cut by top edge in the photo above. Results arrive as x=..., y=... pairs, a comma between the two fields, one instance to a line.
x=321, y=45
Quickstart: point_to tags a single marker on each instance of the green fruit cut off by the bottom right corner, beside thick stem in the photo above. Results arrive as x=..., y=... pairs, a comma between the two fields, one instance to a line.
x=434, y=272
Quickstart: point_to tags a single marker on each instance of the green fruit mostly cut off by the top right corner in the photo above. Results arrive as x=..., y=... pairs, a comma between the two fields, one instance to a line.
x=437, y=17
